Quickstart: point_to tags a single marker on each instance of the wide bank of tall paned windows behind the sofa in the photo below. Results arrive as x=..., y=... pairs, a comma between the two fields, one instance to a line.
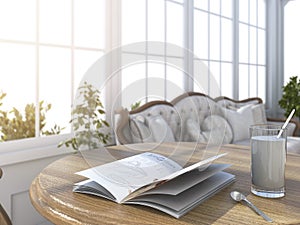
x=228, y=37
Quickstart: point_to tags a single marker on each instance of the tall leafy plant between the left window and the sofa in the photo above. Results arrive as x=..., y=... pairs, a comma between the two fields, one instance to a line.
x=87, y=120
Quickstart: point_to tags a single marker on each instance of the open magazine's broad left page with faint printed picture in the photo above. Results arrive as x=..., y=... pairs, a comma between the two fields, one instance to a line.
x=124, y=176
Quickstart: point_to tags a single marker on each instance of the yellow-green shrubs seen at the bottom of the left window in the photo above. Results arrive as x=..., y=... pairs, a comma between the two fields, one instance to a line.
x=14, y=125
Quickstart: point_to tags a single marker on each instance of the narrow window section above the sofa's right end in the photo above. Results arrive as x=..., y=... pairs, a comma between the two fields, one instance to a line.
x=252, y=48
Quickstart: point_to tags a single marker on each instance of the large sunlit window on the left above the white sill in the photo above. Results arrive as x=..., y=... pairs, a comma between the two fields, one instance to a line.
x=46, y=46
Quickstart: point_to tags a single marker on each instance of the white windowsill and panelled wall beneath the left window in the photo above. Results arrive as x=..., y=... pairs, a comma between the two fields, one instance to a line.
x=21, y=161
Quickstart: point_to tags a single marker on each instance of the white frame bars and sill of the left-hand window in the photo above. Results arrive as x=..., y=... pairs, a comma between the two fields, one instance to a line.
x=28, y=149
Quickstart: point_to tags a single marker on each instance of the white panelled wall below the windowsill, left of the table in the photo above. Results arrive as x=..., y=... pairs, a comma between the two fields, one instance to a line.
x=14, y=194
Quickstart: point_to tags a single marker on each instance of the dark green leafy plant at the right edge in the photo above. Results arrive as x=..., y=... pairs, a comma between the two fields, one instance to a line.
x=291, y=97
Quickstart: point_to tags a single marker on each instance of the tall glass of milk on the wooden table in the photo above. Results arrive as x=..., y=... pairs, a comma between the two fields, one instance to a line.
x=268, y=157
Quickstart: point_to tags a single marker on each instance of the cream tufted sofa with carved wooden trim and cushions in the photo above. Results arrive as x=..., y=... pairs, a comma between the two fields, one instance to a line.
x=196, y=117
